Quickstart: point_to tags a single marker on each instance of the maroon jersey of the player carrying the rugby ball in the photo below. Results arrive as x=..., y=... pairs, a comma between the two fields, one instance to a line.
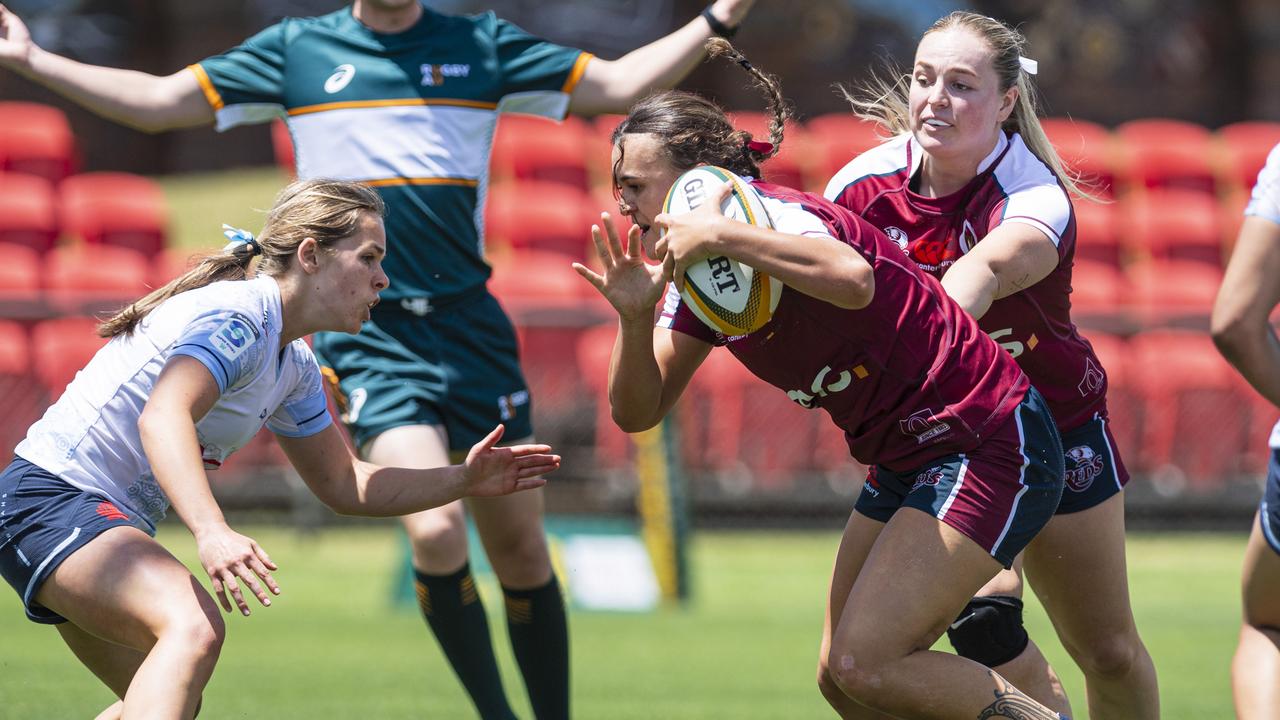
x=909, y=379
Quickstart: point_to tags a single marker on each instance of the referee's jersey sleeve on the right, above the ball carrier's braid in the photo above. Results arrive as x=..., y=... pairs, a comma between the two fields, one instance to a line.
x=538, y=76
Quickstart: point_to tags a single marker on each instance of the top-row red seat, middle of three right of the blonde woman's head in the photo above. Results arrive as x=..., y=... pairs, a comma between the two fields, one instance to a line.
x=1165, y=153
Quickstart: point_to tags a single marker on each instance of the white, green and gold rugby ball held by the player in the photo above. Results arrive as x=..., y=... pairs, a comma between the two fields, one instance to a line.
x=726, y=295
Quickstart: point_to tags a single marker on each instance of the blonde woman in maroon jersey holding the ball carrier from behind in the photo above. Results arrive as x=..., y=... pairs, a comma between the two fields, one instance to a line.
x=975, y=194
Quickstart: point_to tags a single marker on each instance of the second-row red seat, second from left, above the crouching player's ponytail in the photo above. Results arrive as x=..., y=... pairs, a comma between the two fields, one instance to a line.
x=118, y=209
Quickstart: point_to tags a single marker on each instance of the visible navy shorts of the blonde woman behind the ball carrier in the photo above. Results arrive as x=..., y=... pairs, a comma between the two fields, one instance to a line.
x=1094, y=468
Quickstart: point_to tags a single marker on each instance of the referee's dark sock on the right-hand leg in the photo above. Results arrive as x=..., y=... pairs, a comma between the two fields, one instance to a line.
x=540, y=636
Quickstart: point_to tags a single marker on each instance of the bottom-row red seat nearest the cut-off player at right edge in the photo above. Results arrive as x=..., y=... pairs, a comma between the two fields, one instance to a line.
x=1194, y=431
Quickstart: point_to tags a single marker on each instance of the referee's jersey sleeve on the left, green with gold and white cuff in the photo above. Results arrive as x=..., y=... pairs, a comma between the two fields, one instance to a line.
x=246, y=84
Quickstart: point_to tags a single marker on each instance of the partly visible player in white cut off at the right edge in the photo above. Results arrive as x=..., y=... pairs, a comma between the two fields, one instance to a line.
x=1244, y=334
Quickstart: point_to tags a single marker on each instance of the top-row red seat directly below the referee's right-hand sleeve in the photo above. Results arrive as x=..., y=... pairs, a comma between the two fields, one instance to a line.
x=536, y=149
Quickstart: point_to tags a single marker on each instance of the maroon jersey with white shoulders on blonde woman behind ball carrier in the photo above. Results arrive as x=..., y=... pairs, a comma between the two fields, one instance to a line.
x=1035, y=326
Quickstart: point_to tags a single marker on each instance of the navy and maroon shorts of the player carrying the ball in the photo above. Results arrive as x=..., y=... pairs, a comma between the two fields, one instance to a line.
x=999, y=495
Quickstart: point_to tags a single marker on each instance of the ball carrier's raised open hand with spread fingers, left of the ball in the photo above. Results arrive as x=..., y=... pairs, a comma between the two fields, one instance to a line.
x=629, y=284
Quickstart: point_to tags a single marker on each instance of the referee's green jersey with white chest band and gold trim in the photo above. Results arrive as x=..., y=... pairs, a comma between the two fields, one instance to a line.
x=412, y=115
